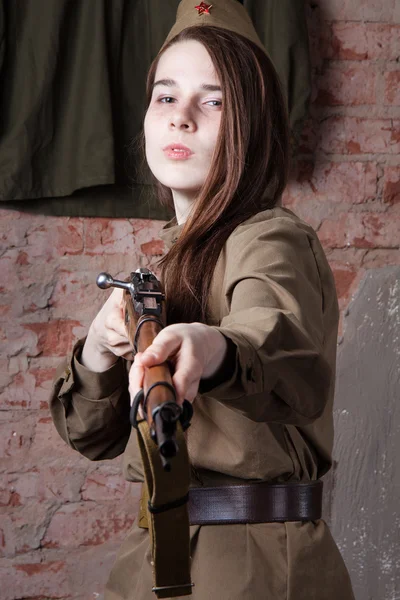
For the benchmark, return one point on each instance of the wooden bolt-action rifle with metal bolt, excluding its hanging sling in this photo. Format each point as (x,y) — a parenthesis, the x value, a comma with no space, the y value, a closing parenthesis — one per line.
(144,319)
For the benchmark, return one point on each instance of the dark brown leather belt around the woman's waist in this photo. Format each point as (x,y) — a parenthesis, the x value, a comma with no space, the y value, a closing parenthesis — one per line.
(251,503)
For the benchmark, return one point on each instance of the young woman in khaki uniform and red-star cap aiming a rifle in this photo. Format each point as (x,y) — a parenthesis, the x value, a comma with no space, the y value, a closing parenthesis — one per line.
(252,322)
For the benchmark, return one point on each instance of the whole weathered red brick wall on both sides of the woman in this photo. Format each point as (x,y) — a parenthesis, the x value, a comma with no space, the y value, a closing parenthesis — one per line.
(62,517)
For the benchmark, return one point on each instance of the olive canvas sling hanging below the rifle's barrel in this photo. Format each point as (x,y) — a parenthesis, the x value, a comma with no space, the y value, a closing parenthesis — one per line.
(168,520)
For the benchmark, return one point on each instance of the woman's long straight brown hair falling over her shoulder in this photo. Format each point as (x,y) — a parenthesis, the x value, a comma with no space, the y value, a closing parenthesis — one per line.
(249,168)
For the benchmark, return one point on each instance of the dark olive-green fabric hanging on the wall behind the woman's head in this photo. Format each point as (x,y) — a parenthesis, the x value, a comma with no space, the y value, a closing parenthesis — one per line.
(72,98)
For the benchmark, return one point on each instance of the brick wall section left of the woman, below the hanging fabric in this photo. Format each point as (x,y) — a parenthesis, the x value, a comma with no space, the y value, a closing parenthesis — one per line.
(61,516)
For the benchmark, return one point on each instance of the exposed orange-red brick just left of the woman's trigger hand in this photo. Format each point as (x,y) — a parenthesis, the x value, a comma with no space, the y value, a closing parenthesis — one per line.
(55,338)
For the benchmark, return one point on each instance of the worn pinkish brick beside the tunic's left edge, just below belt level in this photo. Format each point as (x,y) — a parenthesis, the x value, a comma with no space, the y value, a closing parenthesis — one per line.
(86,524)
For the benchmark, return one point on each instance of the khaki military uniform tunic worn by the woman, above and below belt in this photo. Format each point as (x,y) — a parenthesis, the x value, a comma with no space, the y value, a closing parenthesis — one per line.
(269,418)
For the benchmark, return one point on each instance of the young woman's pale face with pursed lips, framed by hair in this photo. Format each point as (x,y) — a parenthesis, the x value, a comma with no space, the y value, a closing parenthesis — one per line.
(184,113)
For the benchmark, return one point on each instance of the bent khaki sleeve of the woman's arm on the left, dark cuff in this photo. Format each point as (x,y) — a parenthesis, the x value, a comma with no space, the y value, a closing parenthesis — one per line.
(91,410)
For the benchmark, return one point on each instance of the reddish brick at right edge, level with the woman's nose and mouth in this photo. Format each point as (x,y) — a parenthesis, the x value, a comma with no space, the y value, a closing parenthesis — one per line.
(350,135)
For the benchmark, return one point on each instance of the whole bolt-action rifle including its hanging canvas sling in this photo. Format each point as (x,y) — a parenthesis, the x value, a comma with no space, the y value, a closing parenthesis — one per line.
(160,436)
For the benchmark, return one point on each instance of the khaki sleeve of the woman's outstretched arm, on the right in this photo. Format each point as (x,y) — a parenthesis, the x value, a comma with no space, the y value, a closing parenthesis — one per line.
(279,372)
